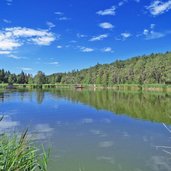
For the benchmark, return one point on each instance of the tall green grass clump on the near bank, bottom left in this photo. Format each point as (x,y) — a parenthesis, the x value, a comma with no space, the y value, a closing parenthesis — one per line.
(19,154)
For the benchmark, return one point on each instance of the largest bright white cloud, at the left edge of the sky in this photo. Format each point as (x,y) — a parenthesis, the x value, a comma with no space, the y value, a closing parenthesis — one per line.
(12,38)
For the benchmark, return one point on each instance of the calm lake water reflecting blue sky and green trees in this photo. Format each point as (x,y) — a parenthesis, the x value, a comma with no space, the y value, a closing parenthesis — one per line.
(89,130)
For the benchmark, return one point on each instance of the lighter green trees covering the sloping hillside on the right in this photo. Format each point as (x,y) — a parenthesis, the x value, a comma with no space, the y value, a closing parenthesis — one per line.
(151,69)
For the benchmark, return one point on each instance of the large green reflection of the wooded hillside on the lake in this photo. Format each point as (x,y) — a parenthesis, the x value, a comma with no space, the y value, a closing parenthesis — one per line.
(153,107)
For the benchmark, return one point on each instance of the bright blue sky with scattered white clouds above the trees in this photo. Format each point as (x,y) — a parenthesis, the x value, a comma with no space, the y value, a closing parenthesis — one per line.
(62,35)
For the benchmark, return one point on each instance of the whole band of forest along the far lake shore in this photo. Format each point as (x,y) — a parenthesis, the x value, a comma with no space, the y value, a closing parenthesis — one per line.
(146,69)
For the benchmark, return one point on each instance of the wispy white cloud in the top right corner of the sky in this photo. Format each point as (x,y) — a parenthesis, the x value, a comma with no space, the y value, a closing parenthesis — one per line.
(158,7)
